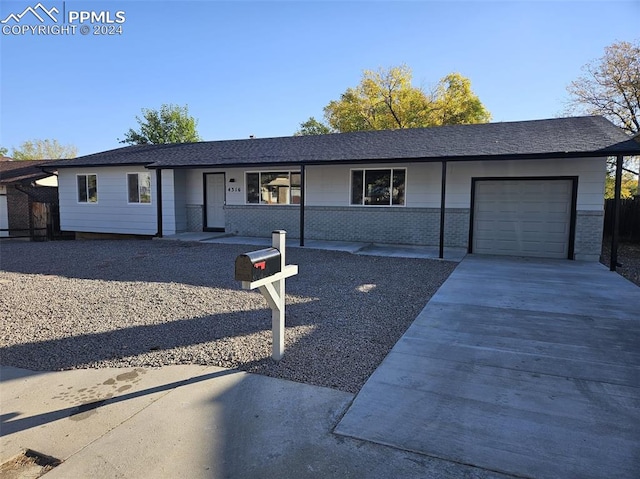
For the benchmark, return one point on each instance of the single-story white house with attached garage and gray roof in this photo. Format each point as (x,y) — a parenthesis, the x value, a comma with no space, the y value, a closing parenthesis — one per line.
(532,188)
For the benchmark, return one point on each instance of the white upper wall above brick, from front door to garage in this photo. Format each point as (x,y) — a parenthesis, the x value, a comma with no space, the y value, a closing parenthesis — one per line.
(331,185)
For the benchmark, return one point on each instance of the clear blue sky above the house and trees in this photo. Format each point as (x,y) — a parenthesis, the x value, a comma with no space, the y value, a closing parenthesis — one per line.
(262,67)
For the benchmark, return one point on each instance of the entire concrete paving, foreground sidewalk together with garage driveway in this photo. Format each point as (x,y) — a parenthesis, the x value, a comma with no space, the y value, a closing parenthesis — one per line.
(529,367)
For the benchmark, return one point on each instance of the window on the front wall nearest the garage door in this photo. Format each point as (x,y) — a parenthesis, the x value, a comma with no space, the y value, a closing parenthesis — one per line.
(378,187)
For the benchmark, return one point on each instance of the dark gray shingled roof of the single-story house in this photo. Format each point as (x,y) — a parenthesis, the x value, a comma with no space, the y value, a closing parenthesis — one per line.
(560,137)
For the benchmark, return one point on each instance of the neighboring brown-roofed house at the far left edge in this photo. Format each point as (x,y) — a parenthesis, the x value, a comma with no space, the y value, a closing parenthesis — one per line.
(23,184)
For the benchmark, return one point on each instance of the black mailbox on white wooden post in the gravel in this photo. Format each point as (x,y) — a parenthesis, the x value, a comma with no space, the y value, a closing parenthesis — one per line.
(251,266)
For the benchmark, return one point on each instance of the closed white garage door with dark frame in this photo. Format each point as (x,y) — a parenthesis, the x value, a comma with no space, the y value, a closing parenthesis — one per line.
(522,217)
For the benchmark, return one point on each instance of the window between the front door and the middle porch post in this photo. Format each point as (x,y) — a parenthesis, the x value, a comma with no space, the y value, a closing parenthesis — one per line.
(273,187)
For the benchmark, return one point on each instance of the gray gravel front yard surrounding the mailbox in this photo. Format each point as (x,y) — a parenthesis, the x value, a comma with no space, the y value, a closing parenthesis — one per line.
(92,304)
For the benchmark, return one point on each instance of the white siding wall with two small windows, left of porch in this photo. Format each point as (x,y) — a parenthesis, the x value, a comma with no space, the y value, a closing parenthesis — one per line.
(112,213)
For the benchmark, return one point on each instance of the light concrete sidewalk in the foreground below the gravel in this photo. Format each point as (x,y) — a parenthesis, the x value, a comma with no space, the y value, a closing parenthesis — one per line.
(193,422)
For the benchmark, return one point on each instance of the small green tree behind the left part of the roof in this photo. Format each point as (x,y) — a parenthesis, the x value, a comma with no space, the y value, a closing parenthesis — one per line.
(170,124)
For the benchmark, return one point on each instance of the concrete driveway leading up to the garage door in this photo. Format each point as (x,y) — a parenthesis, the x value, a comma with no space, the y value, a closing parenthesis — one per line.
(524,366)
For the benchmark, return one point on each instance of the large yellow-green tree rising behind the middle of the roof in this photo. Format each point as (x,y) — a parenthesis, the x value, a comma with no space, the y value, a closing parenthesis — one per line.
(386,99)
